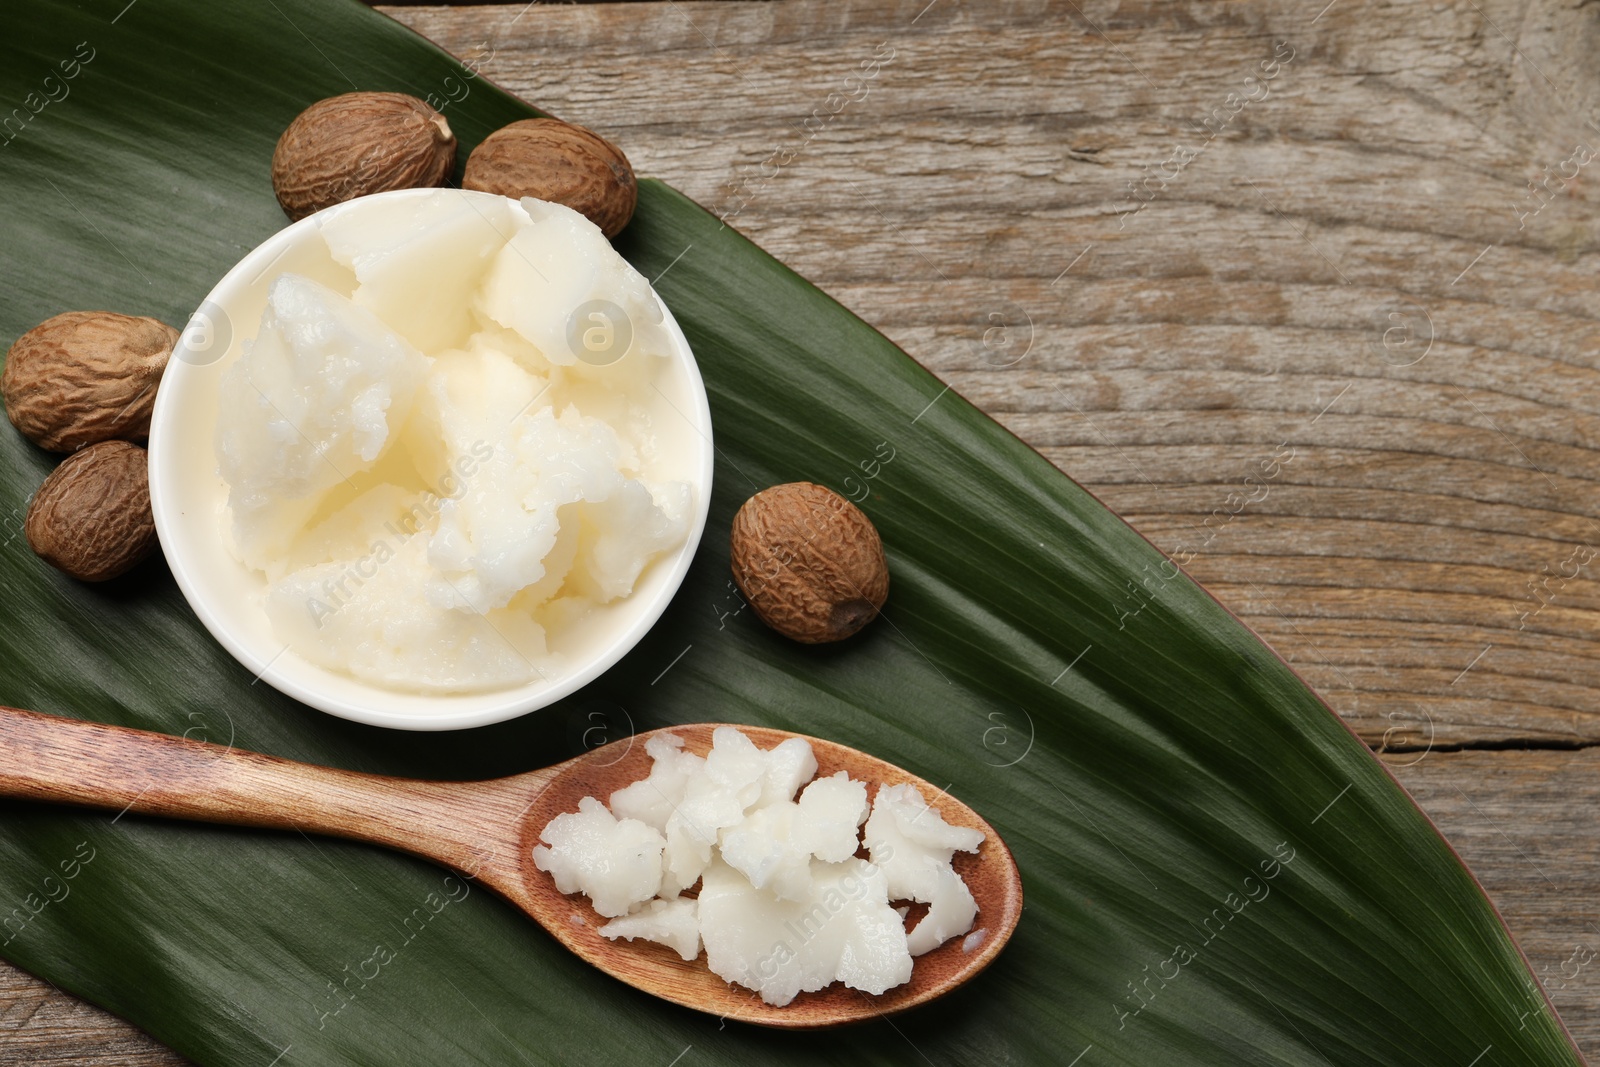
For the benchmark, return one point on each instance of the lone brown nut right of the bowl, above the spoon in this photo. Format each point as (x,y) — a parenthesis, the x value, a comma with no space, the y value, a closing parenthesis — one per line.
(810,562)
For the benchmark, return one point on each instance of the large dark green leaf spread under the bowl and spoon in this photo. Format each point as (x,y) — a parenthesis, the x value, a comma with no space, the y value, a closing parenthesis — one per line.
(1217,871)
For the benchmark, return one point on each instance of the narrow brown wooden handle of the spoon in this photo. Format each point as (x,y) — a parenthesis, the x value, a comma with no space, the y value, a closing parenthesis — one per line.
(66,761)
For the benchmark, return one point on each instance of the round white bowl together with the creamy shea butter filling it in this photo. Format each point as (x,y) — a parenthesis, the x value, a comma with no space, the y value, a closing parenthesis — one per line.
(431,458)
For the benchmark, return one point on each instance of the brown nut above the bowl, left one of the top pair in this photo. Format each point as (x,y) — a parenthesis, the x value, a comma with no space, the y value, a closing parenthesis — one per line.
(361,143)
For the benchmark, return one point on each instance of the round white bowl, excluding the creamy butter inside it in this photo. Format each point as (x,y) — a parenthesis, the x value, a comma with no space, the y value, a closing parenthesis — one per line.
(191,508)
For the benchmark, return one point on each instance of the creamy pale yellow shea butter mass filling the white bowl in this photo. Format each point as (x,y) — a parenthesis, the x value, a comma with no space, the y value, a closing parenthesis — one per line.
(449,455)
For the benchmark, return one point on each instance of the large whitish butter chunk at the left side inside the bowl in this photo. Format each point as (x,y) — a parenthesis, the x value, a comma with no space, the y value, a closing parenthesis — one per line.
(311,404)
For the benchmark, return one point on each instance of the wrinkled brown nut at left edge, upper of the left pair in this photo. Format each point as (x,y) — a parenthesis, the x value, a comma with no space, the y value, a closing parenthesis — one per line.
(86,377)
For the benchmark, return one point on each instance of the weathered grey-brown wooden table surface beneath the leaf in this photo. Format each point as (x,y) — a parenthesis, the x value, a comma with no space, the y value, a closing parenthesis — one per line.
(1162,242)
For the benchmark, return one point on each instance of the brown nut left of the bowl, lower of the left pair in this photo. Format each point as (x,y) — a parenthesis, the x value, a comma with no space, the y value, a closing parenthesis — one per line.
(92,519)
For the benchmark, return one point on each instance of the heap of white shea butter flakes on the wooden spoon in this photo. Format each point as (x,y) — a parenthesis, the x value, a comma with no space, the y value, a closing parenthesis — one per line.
(785,905)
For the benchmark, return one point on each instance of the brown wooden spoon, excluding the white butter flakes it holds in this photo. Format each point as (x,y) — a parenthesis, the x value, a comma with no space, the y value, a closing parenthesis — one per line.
(487,831)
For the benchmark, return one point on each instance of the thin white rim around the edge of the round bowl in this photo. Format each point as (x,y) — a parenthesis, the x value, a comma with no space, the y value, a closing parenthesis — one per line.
(167,506)
